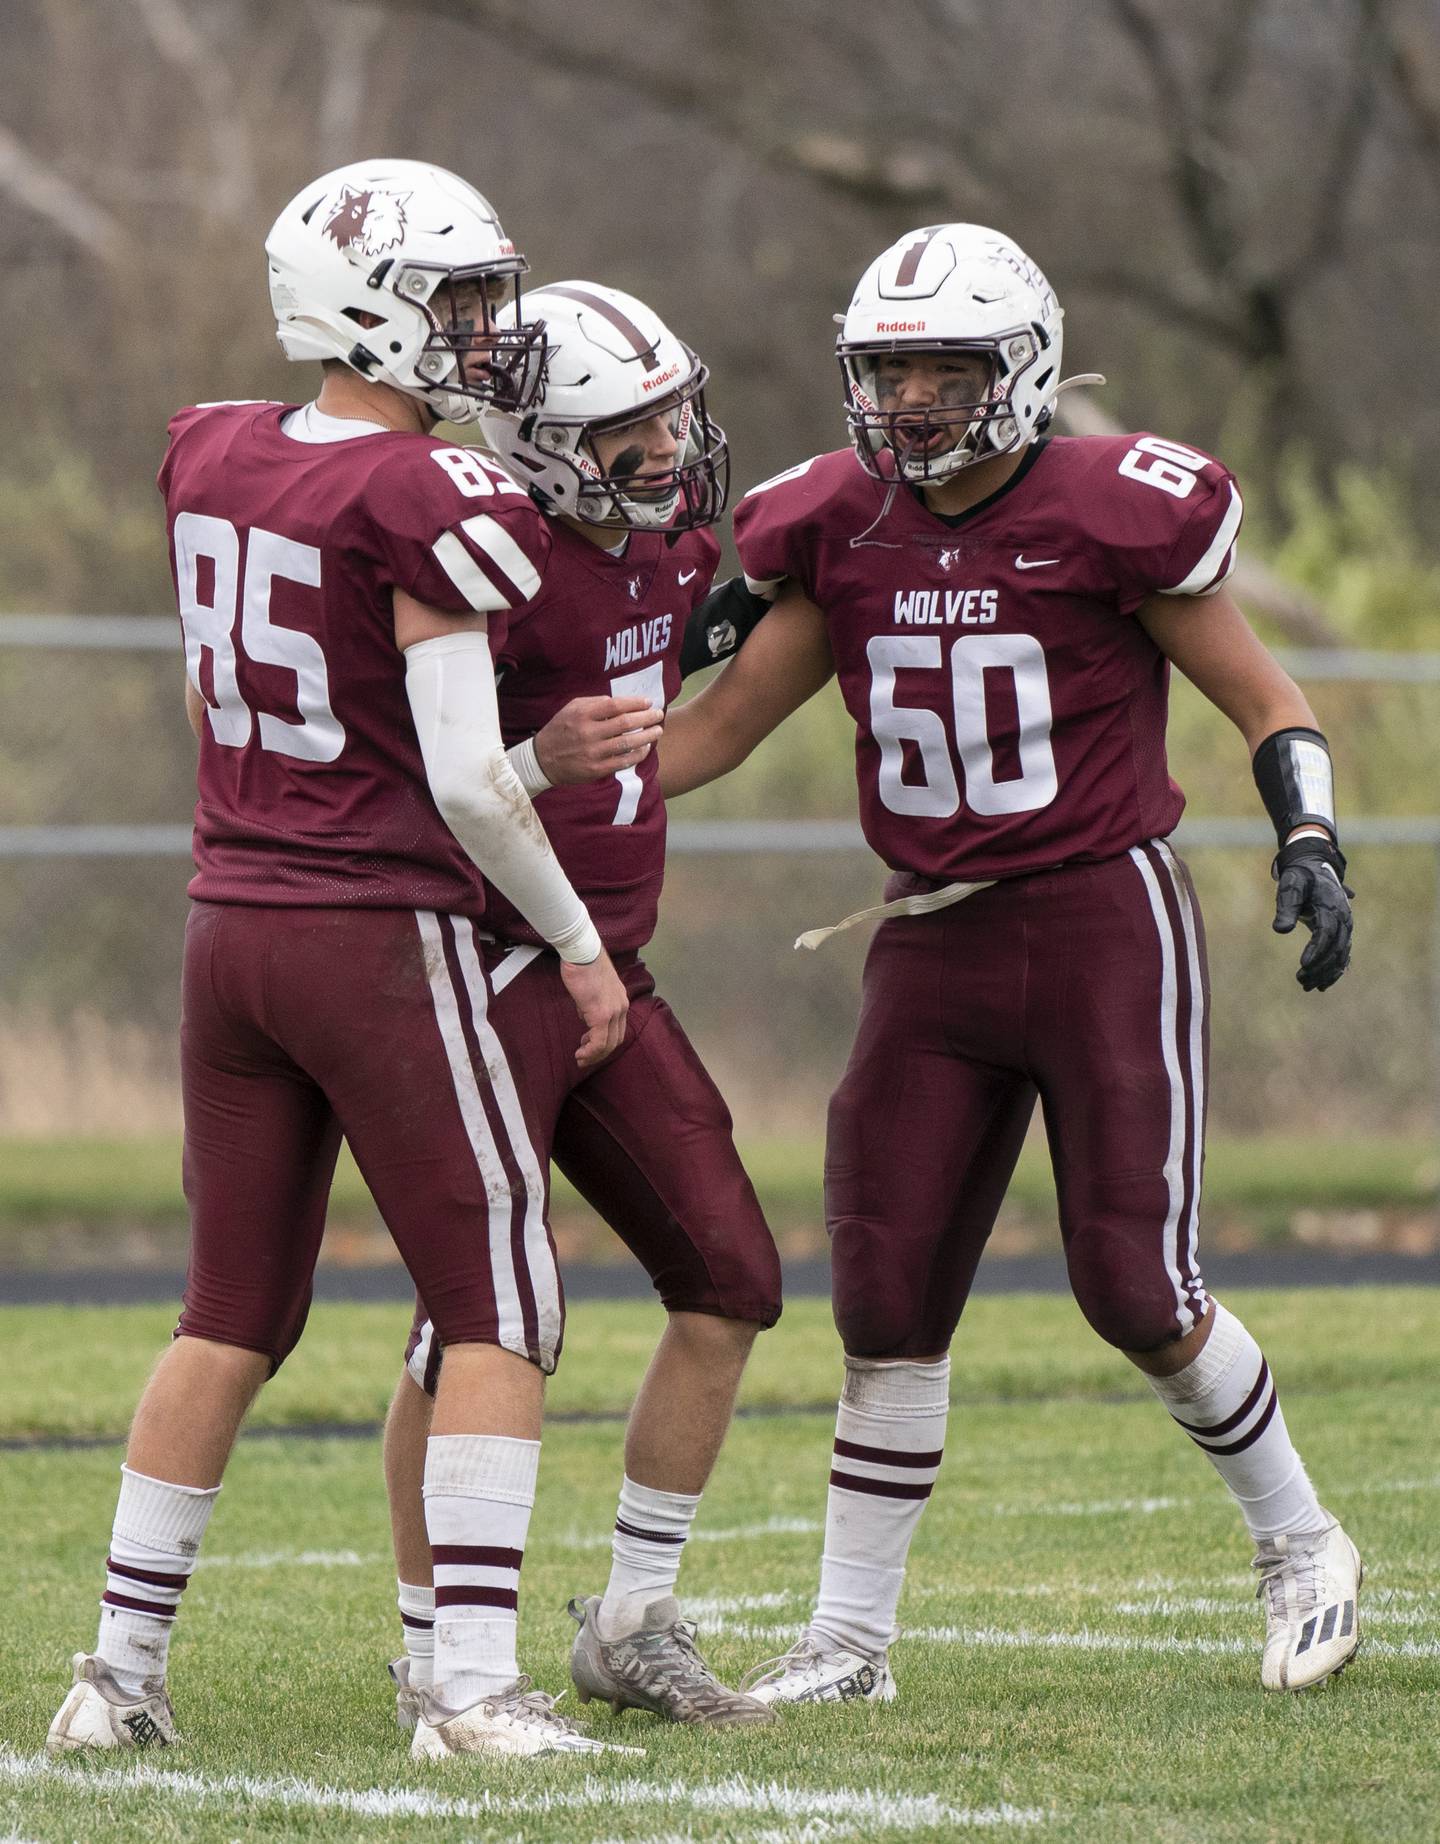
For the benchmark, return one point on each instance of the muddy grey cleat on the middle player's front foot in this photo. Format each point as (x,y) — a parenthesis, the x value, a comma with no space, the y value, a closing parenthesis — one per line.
(655,1668)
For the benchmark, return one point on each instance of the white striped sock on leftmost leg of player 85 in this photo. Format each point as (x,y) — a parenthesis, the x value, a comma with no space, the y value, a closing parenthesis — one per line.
(154,1548)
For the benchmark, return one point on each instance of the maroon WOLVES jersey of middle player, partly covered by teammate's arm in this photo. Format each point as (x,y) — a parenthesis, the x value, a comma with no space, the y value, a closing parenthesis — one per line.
(604,626)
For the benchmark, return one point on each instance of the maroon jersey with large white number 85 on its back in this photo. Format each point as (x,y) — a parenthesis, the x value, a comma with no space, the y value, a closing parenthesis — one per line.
(287,556)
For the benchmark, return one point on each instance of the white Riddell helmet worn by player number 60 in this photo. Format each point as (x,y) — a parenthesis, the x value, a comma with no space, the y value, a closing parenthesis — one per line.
(952,289)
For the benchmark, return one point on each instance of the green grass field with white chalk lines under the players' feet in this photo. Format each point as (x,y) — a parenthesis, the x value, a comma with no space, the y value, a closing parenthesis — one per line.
(1081,1659)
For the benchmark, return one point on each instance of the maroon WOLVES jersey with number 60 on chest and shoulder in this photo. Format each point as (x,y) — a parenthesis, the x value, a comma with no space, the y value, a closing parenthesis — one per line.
(1009,707)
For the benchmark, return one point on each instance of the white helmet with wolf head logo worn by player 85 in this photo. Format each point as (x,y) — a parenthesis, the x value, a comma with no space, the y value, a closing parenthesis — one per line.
(366,266)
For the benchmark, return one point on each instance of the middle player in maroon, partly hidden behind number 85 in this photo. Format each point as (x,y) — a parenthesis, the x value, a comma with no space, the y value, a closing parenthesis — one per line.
(631,473)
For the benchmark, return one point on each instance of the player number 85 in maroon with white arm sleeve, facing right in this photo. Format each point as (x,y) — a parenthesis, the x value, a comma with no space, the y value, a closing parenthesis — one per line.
(344,580)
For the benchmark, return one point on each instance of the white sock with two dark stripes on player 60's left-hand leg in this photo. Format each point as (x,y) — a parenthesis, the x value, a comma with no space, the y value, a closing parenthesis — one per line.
(890,1436)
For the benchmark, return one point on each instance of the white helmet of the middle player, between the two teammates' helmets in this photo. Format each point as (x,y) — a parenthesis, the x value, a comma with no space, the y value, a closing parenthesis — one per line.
(613,362)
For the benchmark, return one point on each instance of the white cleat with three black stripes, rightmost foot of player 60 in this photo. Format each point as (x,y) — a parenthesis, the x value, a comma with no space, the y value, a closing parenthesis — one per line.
(1312,1592)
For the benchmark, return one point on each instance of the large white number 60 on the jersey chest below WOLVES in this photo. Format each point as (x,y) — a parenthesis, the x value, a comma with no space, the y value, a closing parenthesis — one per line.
(895,726)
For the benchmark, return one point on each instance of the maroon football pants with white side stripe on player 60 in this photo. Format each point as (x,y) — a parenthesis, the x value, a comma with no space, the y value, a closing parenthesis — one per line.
(1085,987)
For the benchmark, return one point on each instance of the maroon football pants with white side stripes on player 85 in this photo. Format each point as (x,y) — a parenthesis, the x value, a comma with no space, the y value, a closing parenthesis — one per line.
(307,1024)
